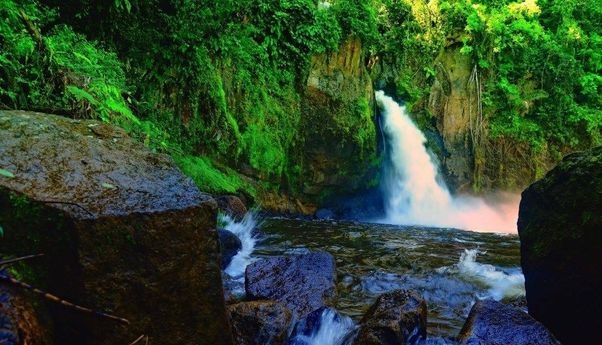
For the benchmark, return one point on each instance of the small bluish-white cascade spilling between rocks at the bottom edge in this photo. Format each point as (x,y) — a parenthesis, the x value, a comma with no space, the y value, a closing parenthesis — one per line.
(338,328)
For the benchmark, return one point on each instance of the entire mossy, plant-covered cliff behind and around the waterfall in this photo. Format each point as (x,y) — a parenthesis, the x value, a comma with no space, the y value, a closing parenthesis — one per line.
(275,98)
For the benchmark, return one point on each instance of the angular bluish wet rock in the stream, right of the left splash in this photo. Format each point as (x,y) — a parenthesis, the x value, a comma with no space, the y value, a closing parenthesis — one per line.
(302,282)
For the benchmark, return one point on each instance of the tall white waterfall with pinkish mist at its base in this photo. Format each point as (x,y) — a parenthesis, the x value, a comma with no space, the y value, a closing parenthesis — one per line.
(414,195)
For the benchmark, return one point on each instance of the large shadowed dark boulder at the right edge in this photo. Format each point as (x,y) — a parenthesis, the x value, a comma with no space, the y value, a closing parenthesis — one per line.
(559,224)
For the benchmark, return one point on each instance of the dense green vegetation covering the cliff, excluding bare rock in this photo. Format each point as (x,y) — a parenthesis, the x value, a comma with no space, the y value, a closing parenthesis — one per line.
(217,84)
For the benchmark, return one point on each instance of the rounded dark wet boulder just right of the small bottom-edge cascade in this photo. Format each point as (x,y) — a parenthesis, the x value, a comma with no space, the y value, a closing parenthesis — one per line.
(396,318)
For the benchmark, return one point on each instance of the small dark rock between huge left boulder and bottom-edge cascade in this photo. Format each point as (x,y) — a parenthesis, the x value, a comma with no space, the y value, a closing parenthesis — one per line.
(259,322)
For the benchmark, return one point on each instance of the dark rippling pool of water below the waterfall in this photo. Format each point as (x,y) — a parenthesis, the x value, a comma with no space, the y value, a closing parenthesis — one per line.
(450,268)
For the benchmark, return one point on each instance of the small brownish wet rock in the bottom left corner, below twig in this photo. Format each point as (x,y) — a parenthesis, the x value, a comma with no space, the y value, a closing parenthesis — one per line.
(19,323)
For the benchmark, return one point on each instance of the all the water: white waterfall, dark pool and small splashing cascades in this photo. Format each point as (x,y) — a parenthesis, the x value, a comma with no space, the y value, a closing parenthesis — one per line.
(416,245)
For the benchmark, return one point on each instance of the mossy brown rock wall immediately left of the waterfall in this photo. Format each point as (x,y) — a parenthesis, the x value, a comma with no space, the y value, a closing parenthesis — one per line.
(337,122)
